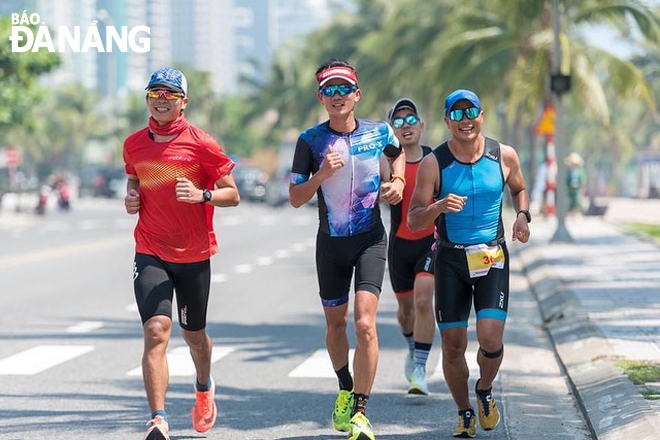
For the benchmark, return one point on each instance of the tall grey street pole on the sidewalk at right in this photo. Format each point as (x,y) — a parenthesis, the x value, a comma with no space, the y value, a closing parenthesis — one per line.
(561,233)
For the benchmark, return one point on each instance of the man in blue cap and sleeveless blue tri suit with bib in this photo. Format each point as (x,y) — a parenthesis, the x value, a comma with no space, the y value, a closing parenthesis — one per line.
(467,175)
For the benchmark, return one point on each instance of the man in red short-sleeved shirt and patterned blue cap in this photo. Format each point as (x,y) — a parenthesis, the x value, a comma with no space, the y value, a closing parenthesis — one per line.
(176,175)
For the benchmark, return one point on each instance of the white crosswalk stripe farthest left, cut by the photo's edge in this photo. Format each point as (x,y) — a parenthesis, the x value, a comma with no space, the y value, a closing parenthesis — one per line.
(40,358)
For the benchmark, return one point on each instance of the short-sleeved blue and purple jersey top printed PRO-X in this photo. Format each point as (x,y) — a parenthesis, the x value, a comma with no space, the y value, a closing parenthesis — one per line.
(348,201)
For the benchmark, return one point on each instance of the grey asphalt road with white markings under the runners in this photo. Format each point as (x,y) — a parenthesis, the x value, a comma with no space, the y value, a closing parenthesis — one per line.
(70,340)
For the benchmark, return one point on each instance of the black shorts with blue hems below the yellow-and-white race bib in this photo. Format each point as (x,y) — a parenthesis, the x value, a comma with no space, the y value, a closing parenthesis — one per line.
(455,290)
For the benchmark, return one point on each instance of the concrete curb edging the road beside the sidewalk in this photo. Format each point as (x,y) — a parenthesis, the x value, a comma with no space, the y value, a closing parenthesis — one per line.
(611,404)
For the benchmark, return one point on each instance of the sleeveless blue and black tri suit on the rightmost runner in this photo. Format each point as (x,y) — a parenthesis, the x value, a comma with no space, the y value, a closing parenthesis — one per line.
(480,222)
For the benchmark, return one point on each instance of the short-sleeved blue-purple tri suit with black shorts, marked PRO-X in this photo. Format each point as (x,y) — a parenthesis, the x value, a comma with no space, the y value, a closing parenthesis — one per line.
(351,233)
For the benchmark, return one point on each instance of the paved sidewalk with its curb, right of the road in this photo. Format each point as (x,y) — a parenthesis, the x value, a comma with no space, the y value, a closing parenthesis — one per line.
(600,300)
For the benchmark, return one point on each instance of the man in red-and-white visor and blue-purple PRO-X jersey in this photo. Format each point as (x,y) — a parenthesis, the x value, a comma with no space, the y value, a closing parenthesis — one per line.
(342,155)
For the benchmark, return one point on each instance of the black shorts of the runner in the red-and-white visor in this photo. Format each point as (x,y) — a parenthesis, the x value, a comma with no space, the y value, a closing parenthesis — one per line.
(337,257)
